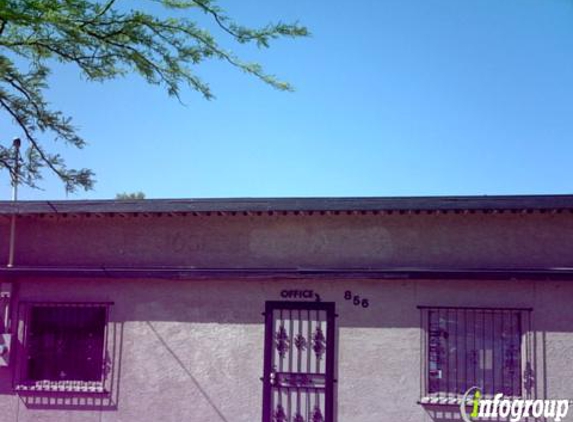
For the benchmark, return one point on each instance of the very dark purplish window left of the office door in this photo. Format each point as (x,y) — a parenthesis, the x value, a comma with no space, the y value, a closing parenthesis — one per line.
(64,347)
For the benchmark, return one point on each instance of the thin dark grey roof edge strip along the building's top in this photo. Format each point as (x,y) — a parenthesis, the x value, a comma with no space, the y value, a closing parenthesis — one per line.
(255,205)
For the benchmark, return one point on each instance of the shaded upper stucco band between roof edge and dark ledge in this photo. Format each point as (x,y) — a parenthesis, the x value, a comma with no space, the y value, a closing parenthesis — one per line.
(439,240)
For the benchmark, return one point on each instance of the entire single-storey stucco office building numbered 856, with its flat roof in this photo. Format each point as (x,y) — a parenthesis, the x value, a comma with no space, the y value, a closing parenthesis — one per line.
(298,310)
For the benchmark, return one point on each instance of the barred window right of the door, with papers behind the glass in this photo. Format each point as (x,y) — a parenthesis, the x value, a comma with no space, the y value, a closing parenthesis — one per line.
(466,347)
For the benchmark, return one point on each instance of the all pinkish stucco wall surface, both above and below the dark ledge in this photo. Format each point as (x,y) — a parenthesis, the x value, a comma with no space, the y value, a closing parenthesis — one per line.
(192,350)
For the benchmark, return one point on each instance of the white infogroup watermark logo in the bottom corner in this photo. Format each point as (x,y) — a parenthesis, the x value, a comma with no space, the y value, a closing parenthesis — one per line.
(514,409)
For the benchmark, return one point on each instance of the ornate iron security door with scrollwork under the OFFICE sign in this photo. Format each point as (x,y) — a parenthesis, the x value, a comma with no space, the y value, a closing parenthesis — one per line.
(299,362)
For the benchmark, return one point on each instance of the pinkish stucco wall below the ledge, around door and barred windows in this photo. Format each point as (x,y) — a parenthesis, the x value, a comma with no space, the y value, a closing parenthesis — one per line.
(194,350)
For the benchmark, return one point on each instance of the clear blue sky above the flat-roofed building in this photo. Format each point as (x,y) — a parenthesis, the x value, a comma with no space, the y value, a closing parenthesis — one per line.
(393,98)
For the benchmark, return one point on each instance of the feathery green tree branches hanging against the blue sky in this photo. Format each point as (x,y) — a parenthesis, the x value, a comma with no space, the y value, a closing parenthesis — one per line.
(105,42)
